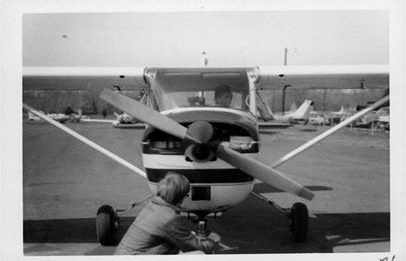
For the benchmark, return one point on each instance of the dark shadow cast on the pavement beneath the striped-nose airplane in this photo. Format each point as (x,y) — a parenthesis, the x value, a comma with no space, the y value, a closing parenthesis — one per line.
(247,228)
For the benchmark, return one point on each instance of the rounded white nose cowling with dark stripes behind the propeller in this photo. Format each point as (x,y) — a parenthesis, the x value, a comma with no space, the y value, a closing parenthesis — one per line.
(215,184)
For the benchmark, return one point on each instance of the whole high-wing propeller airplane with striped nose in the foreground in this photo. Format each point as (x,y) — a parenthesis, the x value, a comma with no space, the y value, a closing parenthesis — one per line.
(214,147)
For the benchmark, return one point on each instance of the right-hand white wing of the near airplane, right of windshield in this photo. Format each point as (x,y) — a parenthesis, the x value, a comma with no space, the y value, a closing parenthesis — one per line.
(343,76)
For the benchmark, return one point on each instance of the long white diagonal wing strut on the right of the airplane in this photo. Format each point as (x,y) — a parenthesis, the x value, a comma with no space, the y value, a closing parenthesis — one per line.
(330,131)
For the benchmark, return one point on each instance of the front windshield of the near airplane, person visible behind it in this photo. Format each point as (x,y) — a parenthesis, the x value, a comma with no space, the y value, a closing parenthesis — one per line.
(200,89)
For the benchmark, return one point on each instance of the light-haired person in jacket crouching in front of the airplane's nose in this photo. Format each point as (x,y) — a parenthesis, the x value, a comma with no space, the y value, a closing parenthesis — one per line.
(159,228)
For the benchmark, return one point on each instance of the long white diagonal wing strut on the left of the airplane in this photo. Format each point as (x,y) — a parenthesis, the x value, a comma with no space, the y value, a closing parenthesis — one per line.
(86,141)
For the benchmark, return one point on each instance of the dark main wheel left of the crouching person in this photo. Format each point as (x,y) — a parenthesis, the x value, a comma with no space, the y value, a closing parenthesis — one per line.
(106,225)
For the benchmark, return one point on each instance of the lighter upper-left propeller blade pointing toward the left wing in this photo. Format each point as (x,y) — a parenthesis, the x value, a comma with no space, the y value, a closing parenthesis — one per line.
(146,114)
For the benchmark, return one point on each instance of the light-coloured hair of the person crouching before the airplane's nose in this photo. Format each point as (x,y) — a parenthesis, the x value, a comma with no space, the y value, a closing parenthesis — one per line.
(173,188)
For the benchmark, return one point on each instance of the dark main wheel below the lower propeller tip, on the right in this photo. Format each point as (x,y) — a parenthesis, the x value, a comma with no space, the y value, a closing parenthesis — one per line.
(300,222)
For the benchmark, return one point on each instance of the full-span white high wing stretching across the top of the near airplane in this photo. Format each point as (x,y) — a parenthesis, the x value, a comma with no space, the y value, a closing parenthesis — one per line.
(206,78)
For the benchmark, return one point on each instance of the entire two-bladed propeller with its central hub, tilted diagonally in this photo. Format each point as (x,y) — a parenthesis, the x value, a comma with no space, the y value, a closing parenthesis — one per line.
(199,133)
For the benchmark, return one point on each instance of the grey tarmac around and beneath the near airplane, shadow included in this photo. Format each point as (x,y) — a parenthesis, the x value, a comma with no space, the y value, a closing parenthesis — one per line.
(65,182)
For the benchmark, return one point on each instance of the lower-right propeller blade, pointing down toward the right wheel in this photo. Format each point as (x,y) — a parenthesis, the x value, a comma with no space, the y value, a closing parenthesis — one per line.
(263,172)
